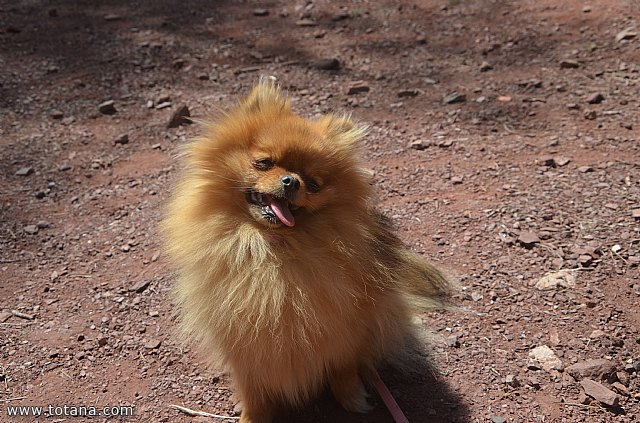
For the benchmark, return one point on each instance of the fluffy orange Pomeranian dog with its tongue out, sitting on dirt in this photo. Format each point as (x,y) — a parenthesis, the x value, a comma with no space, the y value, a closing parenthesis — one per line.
(285,270)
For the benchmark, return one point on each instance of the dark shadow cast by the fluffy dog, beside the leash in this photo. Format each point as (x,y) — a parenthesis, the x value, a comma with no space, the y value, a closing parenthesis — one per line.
(420,391)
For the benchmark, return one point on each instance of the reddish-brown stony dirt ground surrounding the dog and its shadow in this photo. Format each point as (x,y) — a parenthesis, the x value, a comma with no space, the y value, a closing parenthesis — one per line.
(504,142)
